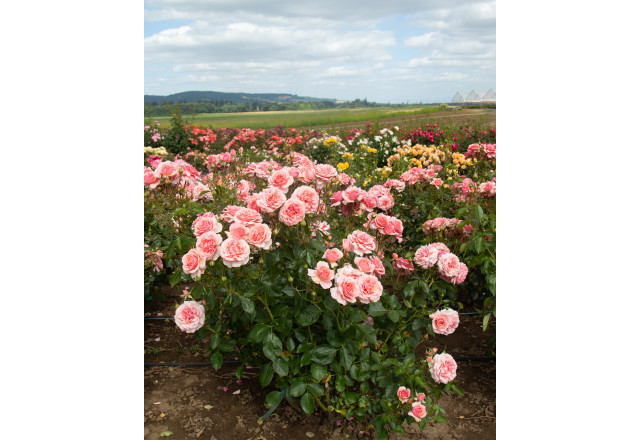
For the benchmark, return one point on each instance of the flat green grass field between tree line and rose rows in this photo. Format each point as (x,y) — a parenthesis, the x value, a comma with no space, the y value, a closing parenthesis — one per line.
(297,119)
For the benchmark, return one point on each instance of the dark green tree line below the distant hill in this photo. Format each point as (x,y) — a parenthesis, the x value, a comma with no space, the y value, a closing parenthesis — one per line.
(152,109)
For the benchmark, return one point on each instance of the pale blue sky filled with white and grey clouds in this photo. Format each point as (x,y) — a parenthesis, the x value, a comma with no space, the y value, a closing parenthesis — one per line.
(385,51)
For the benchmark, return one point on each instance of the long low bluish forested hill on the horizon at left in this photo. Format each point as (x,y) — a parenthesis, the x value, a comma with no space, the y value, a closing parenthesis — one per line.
(233,98)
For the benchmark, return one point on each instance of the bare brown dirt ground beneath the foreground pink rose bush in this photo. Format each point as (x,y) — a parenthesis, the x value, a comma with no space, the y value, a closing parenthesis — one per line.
(199,403)
